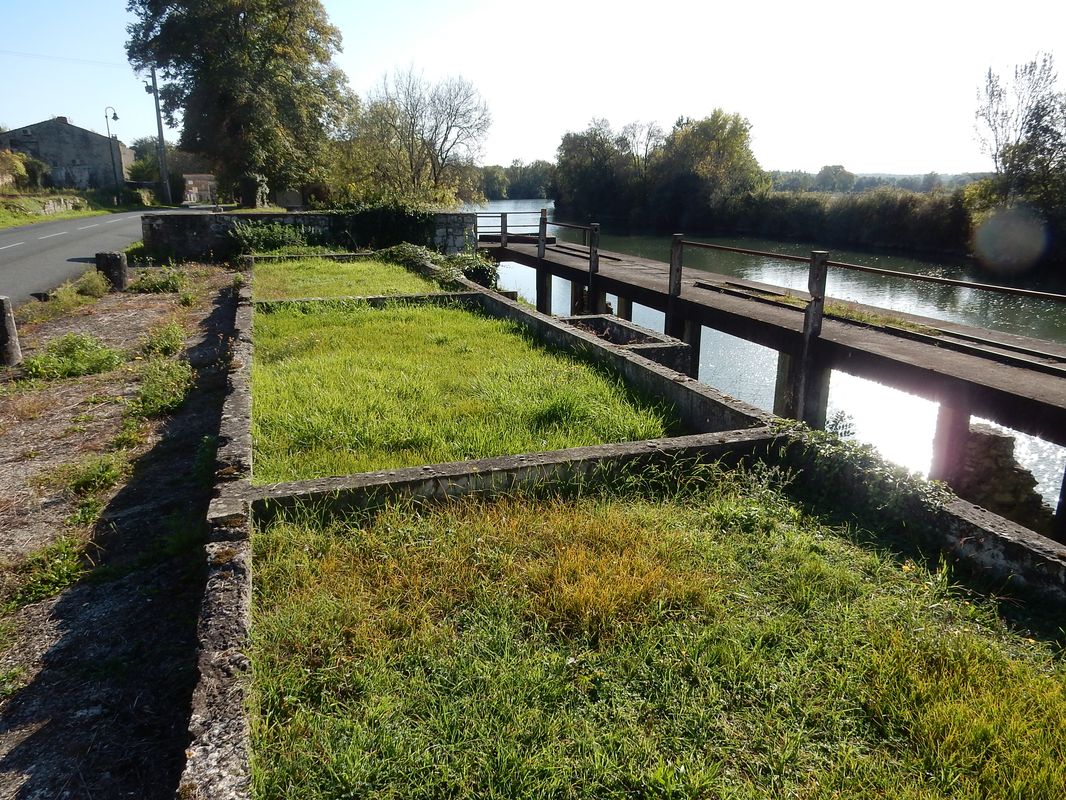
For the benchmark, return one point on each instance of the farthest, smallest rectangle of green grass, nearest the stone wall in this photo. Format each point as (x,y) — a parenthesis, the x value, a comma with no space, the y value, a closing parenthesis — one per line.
(321,278)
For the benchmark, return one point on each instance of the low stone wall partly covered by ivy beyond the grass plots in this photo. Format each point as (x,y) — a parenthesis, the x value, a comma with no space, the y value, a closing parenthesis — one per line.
(204,235)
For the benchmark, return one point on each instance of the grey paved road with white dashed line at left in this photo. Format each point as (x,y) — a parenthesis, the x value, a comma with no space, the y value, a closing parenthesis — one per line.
(37,259)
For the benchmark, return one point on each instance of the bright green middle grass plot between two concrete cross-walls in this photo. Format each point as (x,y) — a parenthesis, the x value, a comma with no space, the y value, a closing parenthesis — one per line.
(351,390)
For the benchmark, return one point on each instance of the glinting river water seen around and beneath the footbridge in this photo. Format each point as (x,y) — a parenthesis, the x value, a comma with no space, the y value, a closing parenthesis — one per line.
(899,425)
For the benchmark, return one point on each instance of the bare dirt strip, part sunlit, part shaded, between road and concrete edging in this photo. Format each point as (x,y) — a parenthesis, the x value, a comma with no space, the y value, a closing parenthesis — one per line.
(96,680)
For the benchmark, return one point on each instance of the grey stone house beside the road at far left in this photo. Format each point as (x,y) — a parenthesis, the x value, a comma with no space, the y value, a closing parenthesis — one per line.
(78,158)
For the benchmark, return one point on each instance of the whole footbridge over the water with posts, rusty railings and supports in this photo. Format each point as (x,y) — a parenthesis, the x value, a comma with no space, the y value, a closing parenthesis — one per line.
(1012,380)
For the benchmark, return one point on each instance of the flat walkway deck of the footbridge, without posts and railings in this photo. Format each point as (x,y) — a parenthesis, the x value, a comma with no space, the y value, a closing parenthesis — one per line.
(1016,381)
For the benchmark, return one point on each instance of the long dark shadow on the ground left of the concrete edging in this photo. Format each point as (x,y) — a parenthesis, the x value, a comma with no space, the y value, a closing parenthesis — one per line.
(108,714)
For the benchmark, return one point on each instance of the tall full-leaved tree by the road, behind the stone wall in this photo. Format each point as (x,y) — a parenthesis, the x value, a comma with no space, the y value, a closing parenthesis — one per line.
(251,81)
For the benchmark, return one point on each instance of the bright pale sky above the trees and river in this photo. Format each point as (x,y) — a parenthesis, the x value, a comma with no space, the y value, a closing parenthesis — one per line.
(886,88)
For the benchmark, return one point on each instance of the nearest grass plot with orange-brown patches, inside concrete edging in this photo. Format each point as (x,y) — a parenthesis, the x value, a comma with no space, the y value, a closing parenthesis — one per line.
(709,642)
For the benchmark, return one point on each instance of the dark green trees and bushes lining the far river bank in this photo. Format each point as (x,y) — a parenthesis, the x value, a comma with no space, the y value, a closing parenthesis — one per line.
(703,179)
